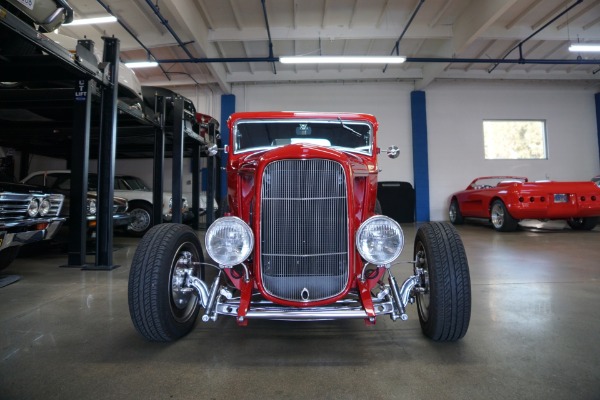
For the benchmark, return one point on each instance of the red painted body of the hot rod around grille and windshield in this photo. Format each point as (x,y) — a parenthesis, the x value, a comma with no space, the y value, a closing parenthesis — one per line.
(245,171)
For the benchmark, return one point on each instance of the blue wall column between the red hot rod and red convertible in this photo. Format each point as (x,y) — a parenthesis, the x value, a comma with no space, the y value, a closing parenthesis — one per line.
(418,113)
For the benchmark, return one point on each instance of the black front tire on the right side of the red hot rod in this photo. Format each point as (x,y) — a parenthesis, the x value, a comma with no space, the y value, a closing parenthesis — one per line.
(444,298)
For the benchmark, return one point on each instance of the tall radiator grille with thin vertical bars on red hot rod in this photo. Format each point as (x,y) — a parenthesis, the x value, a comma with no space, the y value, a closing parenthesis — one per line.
(304,229)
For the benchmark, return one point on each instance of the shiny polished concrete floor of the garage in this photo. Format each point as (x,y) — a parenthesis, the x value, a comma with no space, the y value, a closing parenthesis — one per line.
(534,334)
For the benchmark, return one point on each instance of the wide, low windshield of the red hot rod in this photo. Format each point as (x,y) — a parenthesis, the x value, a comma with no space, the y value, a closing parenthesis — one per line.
(342,135)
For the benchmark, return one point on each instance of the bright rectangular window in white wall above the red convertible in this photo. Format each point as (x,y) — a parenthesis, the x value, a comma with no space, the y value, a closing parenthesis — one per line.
(514,140)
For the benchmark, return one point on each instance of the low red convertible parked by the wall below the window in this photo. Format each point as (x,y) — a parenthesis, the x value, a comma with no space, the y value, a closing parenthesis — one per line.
(505,200)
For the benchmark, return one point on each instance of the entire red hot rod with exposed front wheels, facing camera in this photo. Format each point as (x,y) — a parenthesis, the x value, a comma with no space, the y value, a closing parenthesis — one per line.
(301,241)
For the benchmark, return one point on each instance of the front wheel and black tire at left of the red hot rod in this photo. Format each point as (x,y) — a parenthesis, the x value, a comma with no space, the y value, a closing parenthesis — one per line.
(161,306)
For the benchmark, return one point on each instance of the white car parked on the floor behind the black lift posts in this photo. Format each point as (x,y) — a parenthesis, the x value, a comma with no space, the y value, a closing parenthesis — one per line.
(138,195)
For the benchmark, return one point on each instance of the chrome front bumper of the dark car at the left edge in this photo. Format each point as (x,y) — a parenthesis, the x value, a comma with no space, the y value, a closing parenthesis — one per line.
(25,232)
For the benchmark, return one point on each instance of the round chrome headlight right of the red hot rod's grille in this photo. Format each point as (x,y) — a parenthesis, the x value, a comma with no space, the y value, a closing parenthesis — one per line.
(379,240)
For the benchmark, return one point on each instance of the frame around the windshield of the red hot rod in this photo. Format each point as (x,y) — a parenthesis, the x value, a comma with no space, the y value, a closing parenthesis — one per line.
(343,123)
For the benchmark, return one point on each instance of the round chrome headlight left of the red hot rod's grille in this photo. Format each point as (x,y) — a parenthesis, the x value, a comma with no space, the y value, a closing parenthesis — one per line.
(229,241)
